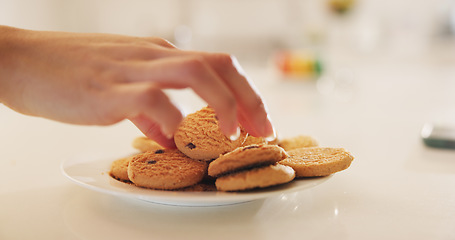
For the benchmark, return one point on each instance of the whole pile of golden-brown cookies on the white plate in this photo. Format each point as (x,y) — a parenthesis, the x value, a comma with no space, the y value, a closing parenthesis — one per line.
(207,160)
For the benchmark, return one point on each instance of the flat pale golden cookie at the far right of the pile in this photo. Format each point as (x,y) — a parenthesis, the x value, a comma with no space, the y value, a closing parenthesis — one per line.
(317,161)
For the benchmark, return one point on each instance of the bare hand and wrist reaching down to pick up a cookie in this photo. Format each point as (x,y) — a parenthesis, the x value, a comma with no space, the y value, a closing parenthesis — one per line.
(101,79)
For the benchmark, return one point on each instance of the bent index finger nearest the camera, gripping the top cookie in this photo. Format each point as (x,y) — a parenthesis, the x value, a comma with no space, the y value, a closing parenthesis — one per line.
(193,72)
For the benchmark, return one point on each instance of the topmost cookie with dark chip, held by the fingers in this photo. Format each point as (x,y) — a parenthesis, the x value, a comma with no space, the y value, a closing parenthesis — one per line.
(199,136)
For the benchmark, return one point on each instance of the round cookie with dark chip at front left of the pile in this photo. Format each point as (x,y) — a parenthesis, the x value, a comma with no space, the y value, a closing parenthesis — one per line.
(167,169)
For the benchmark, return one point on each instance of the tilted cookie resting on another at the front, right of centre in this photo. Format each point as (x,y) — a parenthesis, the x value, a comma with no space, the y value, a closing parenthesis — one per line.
(246,157)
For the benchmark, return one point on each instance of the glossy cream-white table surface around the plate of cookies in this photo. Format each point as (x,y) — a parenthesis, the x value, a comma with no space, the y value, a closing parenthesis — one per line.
(396,188)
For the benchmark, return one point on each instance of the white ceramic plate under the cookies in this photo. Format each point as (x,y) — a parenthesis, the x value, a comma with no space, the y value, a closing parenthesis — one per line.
(93,173)
